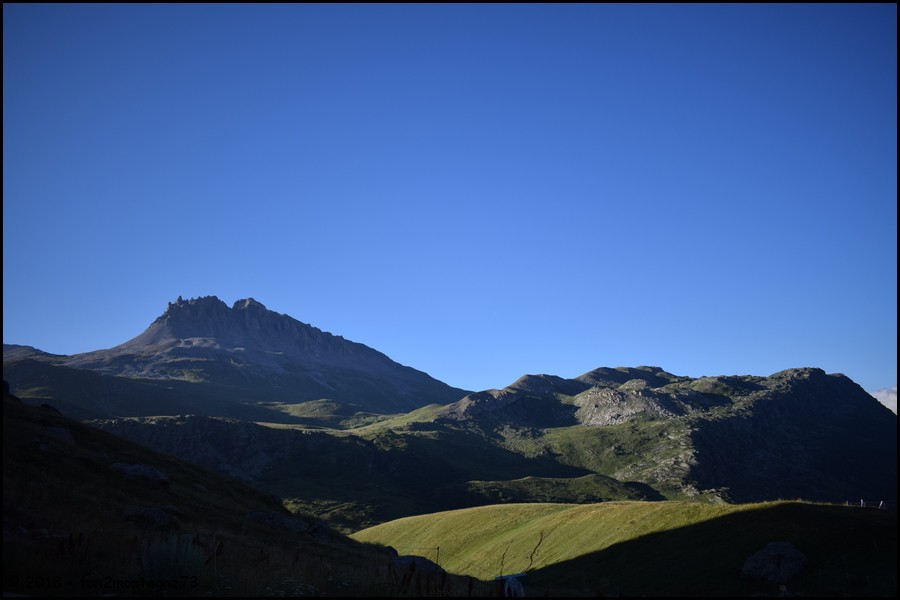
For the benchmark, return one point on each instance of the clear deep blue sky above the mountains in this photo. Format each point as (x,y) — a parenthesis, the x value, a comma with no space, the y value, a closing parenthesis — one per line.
(478,191)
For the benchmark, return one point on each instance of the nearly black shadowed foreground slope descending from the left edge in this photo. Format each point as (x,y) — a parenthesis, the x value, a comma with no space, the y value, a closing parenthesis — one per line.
(86,513)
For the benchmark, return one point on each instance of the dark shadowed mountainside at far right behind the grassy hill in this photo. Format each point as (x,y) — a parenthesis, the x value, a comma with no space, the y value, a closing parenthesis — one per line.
(805,434)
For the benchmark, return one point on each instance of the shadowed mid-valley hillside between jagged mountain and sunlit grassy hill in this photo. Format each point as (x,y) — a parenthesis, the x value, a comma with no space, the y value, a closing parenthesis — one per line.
(355,481)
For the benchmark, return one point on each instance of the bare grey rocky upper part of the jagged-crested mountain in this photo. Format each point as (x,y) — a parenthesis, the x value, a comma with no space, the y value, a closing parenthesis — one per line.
(255,352)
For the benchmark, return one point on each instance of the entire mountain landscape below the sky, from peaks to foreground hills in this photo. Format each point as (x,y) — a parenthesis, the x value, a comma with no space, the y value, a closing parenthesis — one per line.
(626,480)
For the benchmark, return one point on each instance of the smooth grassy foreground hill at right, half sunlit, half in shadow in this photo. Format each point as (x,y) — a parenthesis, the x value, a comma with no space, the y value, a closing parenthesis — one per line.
(654,548)
